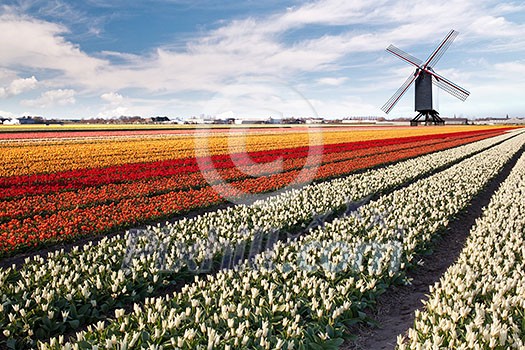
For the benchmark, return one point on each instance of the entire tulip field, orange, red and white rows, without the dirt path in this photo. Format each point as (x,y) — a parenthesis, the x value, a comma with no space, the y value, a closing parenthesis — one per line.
(294,269)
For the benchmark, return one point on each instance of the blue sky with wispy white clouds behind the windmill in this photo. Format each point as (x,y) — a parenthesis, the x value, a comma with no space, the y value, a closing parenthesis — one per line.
(326,58)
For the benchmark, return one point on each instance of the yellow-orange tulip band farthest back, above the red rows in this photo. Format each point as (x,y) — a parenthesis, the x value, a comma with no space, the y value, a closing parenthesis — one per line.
(27,158)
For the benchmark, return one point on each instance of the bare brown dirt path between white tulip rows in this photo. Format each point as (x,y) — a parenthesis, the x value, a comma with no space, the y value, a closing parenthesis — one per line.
(395,308)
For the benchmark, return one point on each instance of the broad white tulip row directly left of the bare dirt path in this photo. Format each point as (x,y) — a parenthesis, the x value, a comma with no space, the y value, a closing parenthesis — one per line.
(306,291)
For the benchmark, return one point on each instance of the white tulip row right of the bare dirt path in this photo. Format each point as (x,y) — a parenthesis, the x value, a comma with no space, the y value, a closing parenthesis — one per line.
(479,302)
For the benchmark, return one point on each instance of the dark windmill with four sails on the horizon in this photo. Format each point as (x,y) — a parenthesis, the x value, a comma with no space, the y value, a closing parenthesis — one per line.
(424,77)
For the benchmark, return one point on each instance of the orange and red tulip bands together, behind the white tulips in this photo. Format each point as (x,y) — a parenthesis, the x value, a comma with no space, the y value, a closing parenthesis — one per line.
(56,189)
